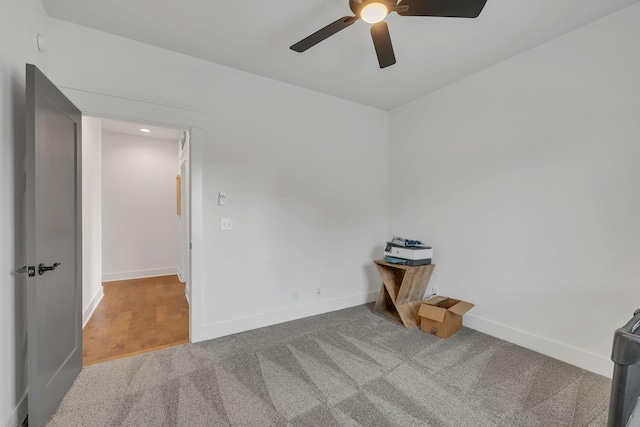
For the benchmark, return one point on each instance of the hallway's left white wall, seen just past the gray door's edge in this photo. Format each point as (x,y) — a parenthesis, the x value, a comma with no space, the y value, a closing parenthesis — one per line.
(91,216)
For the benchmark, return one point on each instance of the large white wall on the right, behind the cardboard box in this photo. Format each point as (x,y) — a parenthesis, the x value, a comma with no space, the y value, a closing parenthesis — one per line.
(524,178)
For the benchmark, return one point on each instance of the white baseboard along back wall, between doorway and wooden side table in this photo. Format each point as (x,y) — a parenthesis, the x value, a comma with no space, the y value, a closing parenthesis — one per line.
(216,330)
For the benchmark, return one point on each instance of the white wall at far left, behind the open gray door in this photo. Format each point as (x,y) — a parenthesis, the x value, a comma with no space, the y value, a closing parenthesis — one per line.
(20,21)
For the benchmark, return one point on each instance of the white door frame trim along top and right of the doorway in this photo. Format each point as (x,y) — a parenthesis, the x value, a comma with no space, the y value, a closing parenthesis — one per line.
(102,105)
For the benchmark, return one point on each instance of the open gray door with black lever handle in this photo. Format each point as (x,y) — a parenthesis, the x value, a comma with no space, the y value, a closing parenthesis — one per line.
(54,293)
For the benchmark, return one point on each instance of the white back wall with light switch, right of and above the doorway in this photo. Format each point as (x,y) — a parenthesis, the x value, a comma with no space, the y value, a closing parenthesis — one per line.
(304,173)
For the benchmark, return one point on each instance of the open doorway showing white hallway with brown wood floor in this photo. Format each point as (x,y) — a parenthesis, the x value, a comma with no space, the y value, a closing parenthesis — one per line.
(136,211)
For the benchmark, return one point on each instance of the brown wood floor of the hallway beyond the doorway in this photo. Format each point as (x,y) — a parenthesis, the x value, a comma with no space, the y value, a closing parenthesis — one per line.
(136,316)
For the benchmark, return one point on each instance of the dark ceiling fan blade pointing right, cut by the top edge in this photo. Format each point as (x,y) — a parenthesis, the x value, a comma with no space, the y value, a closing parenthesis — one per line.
(446,8)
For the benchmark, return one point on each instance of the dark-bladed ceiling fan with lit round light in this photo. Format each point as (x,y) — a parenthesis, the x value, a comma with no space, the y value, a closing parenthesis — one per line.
(374,12)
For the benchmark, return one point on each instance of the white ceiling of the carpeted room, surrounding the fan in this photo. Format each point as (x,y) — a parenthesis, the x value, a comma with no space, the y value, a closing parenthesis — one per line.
(255,35)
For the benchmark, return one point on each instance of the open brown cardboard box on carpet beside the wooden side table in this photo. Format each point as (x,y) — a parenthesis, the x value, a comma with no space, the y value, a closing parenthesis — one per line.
(442,316)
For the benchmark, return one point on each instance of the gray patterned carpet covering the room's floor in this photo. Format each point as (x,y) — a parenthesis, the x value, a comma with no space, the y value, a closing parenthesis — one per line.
(346,368)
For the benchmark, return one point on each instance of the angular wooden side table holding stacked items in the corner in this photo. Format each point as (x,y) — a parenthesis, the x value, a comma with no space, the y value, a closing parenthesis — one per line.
(402,291)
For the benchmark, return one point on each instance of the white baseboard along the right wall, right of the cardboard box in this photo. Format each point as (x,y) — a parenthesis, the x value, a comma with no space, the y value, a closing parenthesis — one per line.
(574,356)
